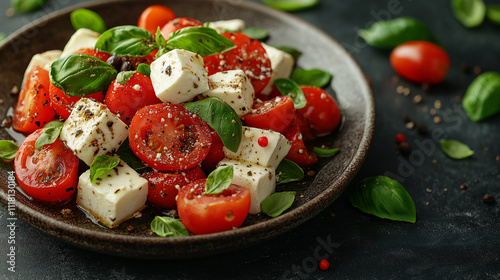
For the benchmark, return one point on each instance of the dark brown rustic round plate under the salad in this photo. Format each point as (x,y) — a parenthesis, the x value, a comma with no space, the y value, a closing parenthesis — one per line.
(132,238)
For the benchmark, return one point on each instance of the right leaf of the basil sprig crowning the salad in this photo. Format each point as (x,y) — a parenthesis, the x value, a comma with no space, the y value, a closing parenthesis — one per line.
(202,40)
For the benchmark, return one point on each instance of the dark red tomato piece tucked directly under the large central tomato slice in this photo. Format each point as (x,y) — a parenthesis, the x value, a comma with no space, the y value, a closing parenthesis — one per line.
(163,187)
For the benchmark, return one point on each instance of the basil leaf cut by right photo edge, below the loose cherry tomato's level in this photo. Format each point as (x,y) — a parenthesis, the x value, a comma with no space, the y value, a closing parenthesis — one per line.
(482,98)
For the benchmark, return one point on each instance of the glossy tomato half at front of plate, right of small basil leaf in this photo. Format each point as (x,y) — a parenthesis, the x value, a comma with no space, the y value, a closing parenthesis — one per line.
(205,214)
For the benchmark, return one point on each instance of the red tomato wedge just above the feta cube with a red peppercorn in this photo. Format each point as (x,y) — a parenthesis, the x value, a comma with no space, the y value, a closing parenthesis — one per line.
(275,114)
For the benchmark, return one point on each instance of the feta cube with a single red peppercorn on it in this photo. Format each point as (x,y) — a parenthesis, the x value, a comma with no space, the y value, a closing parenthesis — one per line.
(263,147)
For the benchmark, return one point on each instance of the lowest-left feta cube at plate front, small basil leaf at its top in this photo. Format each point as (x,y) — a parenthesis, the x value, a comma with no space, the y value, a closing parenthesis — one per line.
(116,195)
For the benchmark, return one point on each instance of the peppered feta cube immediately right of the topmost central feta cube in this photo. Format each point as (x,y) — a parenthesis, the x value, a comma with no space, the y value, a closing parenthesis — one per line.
(234,88)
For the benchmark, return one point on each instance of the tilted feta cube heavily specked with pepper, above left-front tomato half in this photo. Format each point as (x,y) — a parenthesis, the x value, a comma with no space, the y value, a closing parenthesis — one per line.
(92,130)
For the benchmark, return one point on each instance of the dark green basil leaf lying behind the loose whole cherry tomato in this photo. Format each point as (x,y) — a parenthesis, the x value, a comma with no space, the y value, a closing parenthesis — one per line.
(391,33)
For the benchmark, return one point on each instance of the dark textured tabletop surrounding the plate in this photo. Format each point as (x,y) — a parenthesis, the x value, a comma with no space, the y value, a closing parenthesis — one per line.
(456,235)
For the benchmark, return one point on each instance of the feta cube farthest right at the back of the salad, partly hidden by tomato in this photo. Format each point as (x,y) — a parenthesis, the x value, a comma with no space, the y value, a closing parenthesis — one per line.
(281,64)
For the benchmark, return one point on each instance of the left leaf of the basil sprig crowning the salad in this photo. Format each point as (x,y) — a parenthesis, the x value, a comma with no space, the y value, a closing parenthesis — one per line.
(126,40)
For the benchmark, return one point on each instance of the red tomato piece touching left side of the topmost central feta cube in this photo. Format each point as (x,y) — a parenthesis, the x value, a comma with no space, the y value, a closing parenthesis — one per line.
(125,100)
